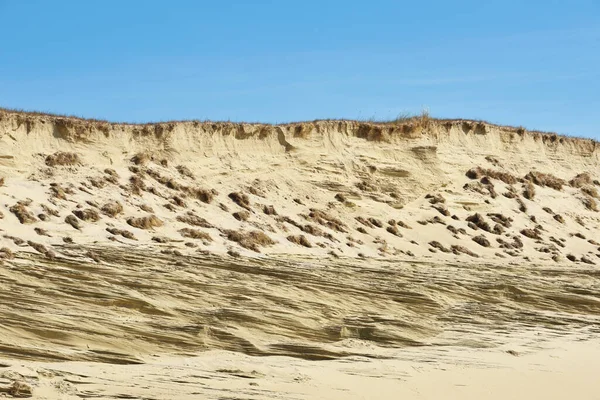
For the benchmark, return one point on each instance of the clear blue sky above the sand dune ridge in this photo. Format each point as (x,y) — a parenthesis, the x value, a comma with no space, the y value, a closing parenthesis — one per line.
(531,63)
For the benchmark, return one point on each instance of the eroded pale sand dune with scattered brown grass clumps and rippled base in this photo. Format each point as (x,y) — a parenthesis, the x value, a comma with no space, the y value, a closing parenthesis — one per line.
(311,260)
